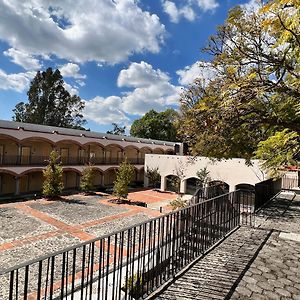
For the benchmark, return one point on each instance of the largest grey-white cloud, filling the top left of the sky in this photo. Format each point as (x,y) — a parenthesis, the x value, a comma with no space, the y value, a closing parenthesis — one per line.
(102,31)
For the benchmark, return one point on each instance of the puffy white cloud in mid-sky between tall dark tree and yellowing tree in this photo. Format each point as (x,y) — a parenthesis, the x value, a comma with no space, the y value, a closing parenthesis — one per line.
(151,90)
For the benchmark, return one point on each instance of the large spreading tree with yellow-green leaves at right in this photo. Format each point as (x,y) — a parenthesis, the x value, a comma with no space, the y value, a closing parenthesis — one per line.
(250,106)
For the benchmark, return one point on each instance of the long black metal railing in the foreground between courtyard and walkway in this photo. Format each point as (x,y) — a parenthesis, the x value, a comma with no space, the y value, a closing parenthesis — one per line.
(131,263)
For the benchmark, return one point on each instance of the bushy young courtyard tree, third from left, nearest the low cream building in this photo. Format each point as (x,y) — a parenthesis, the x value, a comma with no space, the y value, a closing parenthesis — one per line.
(125,175)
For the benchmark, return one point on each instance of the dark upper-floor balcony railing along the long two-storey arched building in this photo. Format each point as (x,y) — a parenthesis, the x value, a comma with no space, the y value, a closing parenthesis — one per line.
(35,160)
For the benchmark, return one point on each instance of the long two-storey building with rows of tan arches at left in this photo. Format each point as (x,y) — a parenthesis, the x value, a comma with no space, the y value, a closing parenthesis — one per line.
(25,149)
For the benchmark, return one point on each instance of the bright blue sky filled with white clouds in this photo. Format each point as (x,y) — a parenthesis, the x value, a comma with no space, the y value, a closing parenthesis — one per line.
(122,57)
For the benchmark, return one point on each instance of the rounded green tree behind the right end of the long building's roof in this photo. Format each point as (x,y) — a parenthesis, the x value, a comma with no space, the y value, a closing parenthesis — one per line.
(155,125)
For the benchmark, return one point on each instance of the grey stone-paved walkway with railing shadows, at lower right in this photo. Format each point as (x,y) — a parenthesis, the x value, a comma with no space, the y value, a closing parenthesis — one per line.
(262,262)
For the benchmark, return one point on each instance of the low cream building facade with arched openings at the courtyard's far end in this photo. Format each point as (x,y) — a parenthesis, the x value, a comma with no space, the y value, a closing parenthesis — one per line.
(233,173)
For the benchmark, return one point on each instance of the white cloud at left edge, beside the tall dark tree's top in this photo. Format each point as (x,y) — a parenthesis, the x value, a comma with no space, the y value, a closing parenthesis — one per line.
(17,81)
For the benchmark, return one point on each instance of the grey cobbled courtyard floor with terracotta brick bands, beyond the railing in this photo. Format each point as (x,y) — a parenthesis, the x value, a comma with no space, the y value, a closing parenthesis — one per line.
(32,229)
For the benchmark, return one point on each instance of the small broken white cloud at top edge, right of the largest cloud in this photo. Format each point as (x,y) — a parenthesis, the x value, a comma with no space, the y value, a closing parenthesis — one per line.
(188,9)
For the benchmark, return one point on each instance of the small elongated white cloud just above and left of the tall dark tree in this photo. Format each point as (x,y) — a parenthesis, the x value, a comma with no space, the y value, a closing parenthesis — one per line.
(25,60)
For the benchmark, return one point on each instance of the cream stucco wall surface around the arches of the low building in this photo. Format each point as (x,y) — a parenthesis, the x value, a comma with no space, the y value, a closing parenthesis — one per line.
(232,171)
